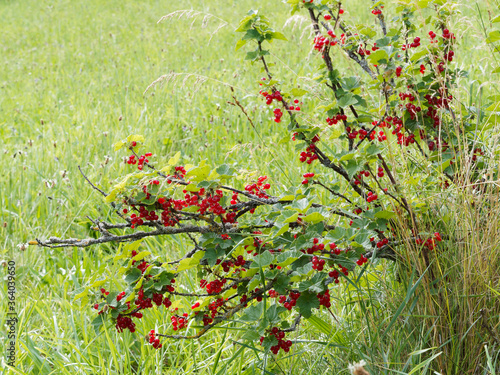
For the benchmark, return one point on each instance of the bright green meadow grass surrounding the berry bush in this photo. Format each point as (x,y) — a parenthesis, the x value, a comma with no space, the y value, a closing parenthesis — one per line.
(72,84)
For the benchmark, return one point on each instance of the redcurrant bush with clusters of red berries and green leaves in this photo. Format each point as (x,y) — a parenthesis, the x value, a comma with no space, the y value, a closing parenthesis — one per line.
(267,255)
